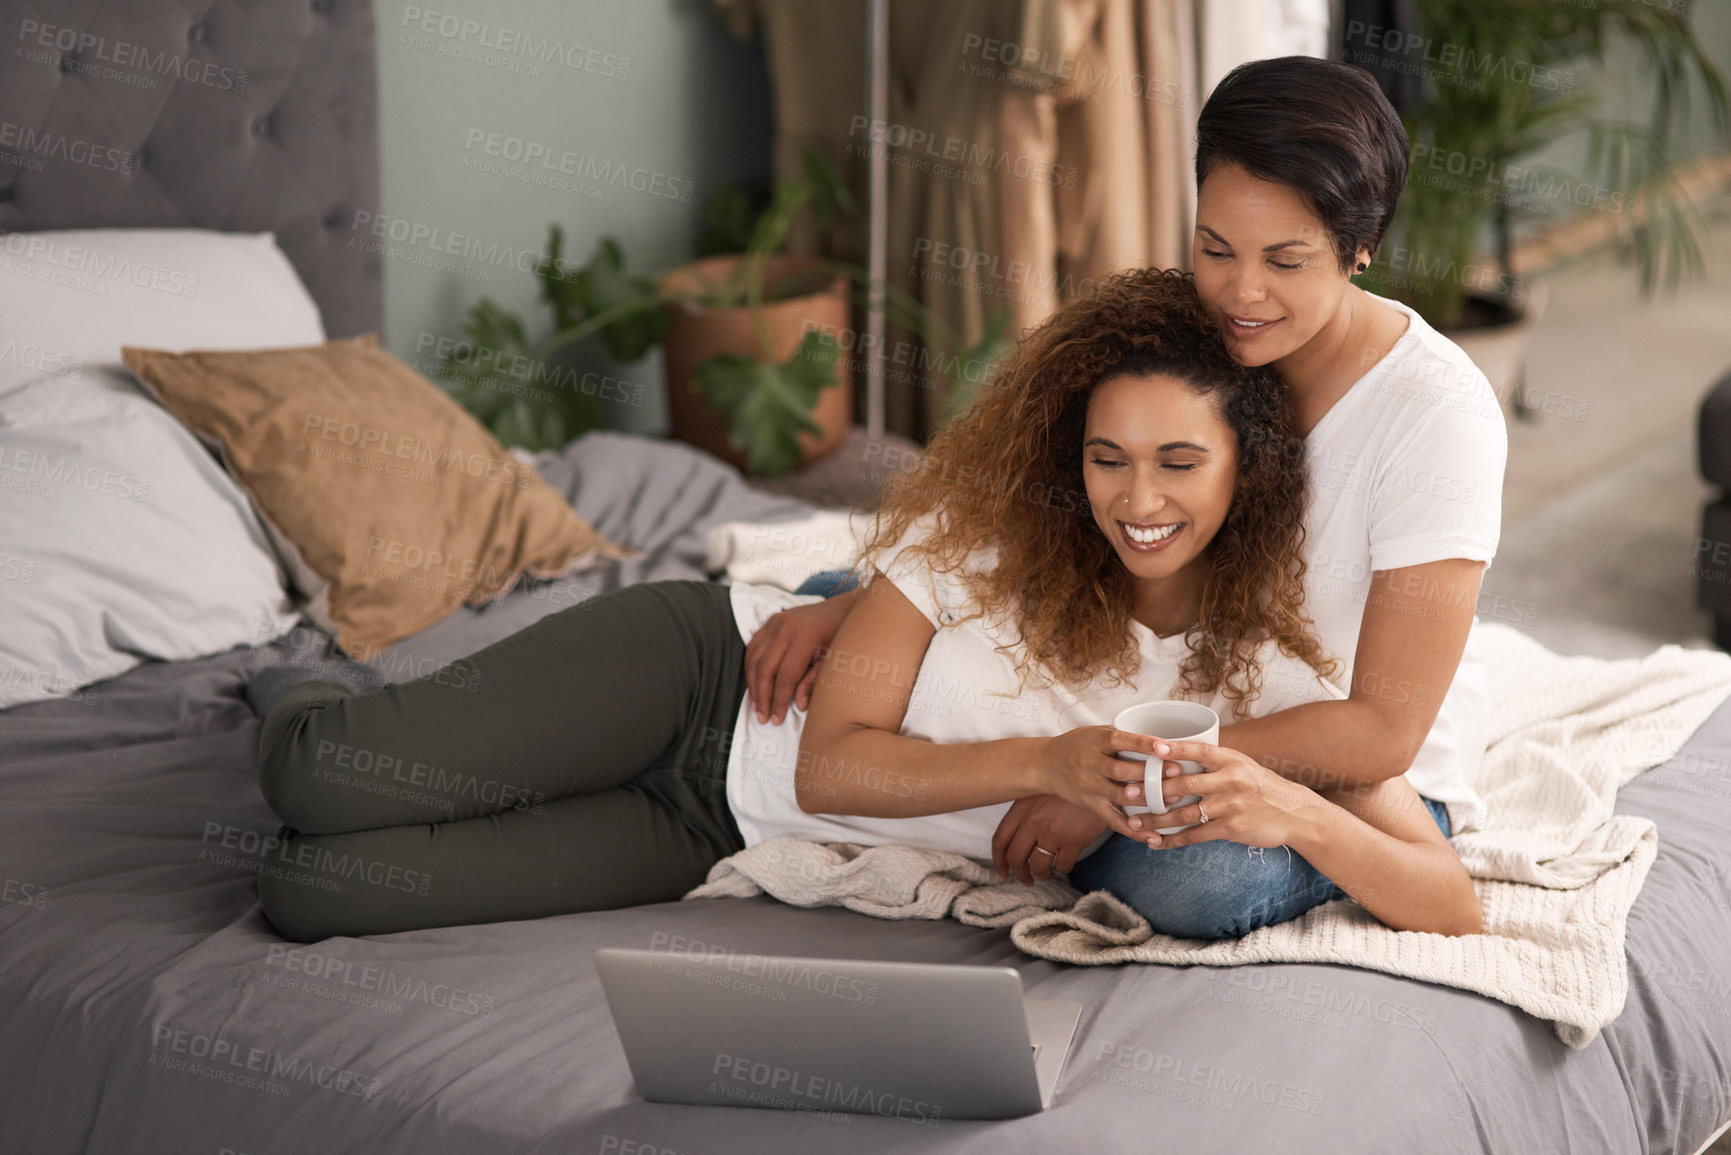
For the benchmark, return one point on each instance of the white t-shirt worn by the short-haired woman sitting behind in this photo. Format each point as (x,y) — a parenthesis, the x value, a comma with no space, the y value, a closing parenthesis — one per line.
(1406,470)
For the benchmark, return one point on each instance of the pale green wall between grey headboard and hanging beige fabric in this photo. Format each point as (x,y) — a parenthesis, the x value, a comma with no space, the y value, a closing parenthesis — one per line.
(498,117)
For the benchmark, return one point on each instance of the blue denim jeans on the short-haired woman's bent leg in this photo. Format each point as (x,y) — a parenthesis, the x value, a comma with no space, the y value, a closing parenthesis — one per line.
(1213,889)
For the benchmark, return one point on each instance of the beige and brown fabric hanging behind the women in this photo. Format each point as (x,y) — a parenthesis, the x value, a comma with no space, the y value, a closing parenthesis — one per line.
(1034,148)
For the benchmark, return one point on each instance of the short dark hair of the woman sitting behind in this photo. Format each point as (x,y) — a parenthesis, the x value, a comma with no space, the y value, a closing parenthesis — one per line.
(1320,127)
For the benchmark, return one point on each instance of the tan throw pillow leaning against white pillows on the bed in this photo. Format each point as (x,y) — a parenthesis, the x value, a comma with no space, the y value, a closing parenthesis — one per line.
(390,503)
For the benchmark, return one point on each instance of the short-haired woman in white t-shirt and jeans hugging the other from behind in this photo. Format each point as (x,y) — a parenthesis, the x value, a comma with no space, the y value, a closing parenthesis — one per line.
(1299,169)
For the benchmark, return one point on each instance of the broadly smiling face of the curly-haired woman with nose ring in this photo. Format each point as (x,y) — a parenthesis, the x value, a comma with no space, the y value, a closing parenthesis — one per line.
(1161,467)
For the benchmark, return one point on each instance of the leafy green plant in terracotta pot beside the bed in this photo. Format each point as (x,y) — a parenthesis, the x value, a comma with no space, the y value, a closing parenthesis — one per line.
(750,337)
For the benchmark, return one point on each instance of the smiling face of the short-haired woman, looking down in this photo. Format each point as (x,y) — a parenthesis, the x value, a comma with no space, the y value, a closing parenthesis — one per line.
(1266,268)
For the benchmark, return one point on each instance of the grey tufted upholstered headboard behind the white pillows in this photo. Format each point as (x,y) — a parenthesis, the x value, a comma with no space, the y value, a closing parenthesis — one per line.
(233,115)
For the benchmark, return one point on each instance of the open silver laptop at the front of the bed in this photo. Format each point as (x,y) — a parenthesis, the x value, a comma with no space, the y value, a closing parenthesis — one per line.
(915,1042)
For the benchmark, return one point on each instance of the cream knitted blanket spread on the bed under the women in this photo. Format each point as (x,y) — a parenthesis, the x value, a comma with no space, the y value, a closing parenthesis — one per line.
(1554,868)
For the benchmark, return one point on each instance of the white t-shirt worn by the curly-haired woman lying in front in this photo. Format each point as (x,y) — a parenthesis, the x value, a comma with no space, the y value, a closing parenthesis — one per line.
(965,692)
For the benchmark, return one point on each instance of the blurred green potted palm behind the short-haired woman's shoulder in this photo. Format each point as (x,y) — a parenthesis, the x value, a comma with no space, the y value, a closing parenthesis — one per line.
(1500,93)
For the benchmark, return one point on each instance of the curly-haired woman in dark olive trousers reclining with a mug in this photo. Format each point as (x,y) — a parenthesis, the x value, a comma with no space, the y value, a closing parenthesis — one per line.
(1116,520)
